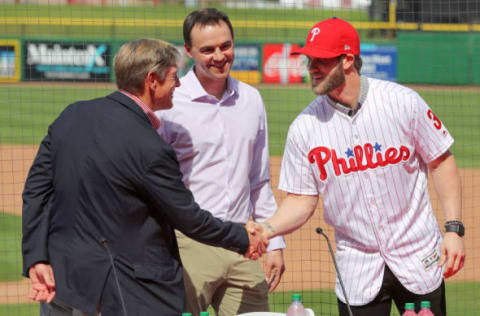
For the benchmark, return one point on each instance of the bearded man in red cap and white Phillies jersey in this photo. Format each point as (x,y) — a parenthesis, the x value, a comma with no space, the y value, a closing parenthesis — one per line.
(366,146)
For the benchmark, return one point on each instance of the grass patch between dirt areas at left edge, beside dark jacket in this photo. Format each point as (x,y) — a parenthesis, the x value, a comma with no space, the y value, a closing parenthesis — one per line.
(10,251)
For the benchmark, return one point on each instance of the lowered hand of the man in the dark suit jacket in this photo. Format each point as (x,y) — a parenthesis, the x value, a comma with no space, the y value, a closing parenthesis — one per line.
(43,282)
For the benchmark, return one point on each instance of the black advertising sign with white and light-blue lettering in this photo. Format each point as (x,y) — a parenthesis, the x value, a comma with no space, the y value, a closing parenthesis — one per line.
(67,61)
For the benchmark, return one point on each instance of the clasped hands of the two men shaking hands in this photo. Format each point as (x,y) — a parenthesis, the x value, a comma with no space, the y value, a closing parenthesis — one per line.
(258,235)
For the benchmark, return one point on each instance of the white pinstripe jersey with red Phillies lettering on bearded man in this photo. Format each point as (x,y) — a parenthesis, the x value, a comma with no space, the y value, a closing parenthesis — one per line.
(370,169)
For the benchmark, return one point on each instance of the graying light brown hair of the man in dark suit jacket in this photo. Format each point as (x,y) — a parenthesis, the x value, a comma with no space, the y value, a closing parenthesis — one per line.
(135,59)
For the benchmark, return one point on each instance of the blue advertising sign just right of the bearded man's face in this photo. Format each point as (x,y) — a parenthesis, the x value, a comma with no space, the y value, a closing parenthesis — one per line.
(379,61)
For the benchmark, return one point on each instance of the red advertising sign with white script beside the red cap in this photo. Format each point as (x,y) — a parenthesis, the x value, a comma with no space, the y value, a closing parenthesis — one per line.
(280,67)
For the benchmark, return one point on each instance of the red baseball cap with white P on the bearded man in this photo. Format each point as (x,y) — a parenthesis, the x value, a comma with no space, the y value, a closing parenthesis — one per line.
(330,38)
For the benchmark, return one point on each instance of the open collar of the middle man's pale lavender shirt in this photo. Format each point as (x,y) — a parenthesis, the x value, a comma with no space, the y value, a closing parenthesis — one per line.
(196,92)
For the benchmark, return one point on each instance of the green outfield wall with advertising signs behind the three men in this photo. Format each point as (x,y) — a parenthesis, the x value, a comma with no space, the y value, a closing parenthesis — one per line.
(413,58)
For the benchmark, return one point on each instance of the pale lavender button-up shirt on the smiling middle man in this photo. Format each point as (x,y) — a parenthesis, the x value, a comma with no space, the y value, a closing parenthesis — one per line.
(222,148)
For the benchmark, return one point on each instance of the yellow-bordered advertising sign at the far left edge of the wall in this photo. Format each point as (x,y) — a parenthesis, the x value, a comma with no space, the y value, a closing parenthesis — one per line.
(9,61)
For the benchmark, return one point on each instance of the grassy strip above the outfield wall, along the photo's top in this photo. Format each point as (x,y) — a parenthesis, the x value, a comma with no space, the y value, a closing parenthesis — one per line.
(172,32)
